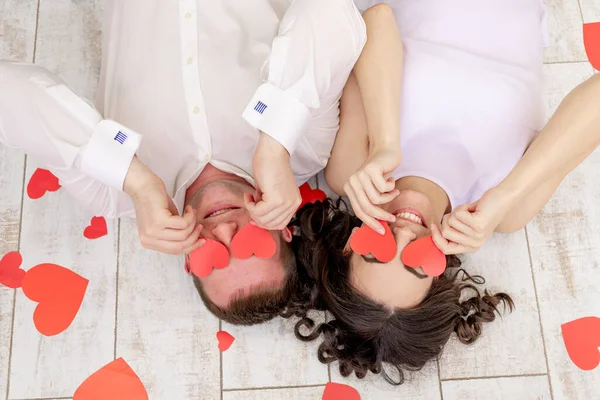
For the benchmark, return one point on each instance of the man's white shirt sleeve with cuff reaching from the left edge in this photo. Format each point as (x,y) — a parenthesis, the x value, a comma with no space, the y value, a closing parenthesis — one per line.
(40,115)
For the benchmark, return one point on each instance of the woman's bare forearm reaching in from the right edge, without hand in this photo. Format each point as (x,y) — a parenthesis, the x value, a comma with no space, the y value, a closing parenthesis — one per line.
(570,136)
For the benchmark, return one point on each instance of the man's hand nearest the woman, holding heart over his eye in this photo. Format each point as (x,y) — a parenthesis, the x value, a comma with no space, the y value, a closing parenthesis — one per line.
(275,183)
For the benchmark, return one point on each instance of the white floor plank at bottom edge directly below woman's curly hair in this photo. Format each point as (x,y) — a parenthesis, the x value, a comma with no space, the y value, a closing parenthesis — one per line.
(421,385)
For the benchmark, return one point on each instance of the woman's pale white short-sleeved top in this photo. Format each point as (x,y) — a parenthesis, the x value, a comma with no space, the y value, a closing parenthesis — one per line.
(471,89)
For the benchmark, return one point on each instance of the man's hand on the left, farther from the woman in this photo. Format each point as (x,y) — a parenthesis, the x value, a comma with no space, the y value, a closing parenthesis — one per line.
(160,226)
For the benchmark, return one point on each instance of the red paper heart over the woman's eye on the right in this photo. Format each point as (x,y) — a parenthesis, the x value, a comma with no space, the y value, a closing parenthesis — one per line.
(425,254)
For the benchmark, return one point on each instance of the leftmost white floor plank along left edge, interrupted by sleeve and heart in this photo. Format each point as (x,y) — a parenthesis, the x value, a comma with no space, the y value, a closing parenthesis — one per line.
(17,36)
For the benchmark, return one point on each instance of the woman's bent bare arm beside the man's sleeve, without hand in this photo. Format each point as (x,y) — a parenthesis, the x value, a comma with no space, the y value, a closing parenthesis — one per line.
(369,108)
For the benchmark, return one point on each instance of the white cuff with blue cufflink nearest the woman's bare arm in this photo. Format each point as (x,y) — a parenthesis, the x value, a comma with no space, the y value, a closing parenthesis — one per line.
(279,115)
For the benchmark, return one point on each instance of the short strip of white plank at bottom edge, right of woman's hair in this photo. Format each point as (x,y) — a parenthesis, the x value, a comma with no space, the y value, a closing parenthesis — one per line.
(519,388)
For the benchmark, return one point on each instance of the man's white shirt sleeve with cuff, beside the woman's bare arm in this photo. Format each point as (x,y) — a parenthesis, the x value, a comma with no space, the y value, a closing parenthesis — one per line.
(317,40)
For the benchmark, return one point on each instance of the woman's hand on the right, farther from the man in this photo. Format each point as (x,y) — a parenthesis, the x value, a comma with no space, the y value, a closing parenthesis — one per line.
(469,226)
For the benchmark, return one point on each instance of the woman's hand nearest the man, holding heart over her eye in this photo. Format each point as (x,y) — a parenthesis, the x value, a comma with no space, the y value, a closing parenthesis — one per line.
(372,185)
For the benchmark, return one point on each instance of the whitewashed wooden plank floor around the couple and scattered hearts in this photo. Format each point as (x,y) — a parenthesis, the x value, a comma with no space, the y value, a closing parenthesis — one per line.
(141,306)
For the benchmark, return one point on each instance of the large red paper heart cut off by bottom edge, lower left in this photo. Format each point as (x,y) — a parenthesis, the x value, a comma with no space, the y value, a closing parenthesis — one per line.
(114,381)
